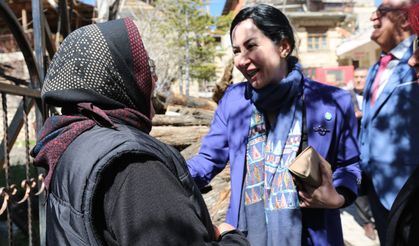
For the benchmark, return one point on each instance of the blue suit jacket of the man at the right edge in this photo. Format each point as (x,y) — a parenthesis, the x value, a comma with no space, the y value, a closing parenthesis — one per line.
(389,136)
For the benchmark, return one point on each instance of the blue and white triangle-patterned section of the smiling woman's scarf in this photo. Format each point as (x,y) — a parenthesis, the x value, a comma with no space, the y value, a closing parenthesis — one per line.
(268,178)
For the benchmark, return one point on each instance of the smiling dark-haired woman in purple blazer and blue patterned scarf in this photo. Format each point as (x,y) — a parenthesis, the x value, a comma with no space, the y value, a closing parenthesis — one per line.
(261,125)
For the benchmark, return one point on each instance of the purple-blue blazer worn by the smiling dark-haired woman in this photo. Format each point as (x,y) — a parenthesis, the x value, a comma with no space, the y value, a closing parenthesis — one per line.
(326,107)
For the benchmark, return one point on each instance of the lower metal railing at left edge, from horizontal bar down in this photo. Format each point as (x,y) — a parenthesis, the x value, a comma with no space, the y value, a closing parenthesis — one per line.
(29,188)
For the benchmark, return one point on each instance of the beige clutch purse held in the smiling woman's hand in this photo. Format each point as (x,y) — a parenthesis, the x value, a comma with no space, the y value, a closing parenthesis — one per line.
(306,167)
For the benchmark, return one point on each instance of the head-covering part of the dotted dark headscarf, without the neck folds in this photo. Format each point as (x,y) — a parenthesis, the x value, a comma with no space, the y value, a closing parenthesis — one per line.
(105,64)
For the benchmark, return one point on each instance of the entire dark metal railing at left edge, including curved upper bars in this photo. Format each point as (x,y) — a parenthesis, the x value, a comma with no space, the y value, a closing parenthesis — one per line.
(14,196)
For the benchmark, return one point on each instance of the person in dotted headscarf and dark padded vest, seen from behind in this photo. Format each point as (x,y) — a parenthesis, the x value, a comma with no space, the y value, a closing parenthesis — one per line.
(108,181)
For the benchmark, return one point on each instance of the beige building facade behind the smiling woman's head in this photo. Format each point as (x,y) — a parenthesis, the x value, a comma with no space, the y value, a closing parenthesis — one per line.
(321,27)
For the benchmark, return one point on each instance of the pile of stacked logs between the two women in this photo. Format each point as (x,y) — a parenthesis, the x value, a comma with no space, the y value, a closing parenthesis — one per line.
(183,125)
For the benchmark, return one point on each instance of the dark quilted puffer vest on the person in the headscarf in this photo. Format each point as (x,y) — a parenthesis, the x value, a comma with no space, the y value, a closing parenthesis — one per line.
(73,203)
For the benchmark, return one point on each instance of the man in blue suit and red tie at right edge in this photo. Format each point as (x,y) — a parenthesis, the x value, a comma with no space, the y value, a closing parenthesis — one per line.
(389,136)
